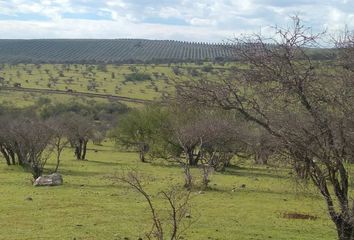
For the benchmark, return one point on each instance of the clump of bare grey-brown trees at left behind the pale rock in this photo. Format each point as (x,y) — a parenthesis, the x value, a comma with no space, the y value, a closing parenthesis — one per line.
(29,141)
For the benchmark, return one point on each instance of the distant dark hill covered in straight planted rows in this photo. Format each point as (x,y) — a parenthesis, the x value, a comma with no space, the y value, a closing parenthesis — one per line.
(109,51)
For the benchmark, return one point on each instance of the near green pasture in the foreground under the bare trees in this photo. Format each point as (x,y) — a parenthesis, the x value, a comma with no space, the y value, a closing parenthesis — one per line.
(92,205)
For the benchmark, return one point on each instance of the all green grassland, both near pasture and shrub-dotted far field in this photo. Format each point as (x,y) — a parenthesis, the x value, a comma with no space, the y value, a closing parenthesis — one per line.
(246,201)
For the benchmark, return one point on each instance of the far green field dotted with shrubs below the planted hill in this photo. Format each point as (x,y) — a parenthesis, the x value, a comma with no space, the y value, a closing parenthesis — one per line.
(108,80)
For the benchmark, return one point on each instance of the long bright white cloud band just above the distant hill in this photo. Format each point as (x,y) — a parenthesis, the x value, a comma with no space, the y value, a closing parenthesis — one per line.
(73,28)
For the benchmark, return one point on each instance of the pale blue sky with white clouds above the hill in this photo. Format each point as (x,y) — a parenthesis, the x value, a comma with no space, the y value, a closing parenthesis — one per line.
(186,20)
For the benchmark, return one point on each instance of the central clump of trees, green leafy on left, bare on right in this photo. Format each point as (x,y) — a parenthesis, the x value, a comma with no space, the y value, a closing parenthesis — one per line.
(192,137)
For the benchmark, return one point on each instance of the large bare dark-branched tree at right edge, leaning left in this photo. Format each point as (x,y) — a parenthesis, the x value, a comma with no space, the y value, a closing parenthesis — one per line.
(307,105)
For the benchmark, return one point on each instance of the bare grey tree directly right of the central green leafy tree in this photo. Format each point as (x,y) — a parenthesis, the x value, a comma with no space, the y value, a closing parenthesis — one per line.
(204,138)
